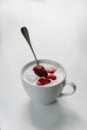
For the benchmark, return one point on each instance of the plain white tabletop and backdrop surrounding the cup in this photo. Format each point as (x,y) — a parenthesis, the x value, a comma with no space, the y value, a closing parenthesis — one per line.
(58,31)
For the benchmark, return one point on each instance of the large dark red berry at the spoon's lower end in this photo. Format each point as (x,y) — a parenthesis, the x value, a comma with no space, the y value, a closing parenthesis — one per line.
(40,71)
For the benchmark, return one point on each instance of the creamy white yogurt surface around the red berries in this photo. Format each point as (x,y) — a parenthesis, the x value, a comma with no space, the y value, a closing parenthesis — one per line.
(32,78)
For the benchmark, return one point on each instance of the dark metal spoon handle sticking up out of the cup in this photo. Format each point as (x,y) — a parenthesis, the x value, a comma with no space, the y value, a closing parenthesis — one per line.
(25,33)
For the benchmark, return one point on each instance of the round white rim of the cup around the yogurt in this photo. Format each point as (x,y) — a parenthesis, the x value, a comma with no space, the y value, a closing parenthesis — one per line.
(43,61)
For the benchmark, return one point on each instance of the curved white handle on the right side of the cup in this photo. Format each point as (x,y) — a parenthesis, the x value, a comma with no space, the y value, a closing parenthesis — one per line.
(71,84)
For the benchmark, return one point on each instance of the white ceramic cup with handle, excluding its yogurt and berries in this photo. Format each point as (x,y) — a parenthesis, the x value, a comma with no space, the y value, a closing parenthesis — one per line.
(46,95)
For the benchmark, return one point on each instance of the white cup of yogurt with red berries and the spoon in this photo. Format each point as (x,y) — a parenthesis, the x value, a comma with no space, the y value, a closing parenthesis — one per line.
(43,79)
